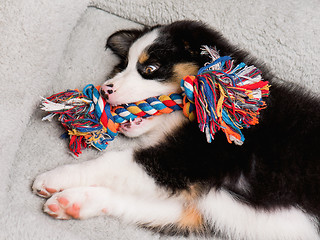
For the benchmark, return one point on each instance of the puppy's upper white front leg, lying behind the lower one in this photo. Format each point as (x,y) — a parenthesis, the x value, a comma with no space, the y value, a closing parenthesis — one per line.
(115,170)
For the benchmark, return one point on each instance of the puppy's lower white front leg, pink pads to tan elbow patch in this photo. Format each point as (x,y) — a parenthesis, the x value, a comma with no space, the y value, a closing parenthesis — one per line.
(153,211)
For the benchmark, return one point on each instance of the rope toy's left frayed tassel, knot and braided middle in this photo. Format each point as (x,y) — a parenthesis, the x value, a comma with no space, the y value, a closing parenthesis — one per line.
(90,120)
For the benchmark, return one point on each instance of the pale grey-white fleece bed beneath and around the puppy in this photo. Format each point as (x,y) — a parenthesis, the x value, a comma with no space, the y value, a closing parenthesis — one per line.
(49,46)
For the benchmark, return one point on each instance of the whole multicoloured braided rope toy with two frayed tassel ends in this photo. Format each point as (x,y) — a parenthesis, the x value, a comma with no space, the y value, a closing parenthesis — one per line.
(219,97)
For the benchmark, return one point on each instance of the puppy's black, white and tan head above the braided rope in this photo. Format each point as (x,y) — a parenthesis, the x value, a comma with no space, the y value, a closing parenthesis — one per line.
(154,60)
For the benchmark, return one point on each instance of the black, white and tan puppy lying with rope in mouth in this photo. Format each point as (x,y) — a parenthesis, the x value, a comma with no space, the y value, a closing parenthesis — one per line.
(162,173)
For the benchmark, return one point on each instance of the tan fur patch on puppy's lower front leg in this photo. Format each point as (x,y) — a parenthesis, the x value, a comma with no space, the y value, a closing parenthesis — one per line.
(191,219)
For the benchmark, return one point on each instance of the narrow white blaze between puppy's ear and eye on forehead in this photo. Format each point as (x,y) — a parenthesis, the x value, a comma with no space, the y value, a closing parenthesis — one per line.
(139,46)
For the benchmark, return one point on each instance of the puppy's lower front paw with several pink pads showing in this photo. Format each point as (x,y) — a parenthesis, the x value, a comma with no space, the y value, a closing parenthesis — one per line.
(77,203)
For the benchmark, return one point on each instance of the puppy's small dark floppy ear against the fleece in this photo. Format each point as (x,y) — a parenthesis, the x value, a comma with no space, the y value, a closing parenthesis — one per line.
(121,41)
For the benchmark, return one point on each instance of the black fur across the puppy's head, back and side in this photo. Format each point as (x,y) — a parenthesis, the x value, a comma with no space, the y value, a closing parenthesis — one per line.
(279,158)
